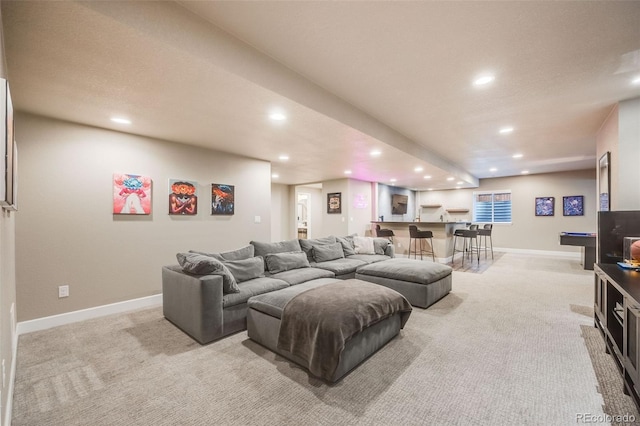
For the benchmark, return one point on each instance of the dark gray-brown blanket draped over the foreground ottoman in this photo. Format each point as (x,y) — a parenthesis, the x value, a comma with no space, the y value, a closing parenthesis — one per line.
(316,324)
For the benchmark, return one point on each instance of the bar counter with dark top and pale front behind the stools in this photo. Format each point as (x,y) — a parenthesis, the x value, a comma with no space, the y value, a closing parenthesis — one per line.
(442,236)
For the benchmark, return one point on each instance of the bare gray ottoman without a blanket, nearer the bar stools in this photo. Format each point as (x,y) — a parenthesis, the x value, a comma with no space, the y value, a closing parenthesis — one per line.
(422,283)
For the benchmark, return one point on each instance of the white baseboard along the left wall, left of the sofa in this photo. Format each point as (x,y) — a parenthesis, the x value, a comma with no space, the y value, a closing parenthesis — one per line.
(84,314)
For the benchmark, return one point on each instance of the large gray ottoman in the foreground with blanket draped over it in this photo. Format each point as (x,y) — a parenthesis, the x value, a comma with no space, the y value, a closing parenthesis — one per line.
(327,326)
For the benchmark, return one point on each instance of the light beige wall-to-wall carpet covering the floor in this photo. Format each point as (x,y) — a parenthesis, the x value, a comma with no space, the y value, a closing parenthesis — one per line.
(503,348)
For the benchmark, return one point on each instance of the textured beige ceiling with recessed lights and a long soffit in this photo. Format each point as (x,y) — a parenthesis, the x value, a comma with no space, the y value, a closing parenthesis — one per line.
(350,76)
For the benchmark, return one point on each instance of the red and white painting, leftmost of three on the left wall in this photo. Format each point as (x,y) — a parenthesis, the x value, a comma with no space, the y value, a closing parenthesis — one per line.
(131,194)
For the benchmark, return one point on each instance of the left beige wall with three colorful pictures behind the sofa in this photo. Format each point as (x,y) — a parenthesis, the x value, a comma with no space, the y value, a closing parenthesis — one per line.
(66,232)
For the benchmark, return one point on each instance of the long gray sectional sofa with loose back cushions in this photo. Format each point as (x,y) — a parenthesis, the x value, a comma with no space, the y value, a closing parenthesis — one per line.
(206,294)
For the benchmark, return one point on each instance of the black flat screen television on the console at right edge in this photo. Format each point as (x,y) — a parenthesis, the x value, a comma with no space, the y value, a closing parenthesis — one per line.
(612,228)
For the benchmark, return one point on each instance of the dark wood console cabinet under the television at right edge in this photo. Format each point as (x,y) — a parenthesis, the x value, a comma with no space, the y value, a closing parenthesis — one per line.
(617,316)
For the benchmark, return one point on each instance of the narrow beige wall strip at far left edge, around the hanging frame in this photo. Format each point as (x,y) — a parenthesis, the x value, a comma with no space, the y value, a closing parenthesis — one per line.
(7,285)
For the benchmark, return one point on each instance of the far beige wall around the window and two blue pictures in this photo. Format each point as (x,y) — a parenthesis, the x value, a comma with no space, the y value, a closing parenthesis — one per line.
(529,232)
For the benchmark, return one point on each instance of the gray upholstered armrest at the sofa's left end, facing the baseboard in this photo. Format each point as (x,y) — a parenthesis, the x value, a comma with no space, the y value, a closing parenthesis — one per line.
(193,303)
